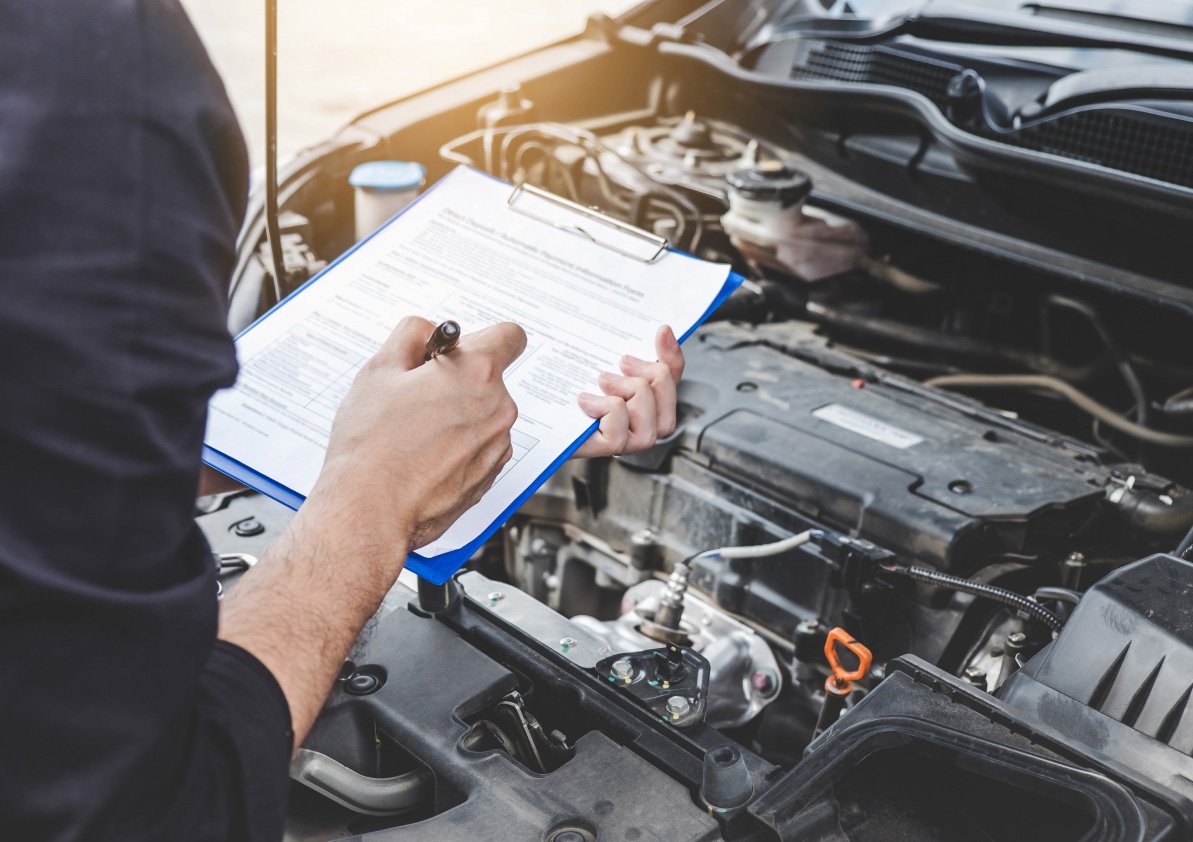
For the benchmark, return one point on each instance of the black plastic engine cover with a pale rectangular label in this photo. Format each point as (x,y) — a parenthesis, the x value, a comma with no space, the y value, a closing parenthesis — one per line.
(914,476)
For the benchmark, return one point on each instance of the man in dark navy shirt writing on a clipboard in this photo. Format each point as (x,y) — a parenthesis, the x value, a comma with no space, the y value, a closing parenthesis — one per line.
(123,716)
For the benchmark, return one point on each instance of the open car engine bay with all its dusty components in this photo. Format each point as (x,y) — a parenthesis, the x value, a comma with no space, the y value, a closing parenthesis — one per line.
(883,581)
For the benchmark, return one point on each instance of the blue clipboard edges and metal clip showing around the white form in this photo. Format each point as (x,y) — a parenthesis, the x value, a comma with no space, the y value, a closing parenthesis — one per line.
(441,568)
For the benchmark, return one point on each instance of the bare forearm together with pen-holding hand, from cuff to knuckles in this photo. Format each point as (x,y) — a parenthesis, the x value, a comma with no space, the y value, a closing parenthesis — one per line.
(413,447)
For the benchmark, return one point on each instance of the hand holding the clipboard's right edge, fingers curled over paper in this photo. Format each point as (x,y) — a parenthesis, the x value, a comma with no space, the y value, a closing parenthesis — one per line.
(639,406)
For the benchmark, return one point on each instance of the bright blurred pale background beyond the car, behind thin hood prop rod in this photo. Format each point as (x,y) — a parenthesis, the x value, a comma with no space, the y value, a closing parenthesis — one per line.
(337,60)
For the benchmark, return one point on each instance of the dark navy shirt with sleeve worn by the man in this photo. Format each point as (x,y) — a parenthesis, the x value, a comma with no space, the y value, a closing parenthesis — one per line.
(123,181)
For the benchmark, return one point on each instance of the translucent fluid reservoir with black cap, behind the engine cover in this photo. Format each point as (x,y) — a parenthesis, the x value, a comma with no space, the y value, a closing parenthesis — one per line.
(770,225)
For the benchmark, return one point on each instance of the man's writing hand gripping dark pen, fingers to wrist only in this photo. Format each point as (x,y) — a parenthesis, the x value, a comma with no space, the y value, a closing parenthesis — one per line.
(415,445)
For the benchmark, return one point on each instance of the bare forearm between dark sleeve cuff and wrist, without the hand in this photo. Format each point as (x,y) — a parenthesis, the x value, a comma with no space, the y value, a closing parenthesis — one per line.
(304,605)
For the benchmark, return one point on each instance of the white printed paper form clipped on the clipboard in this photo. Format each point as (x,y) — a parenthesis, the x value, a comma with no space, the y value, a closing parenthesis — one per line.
(459,253)
